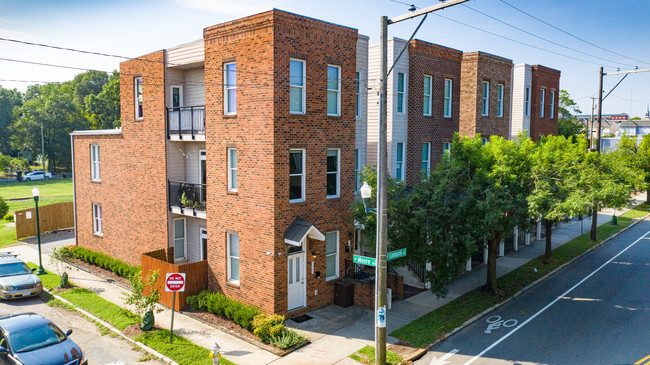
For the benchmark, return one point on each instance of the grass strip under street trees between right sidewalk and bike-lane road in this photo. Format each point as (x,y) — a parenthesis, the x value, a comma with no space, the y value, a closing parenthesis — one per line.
(434,325)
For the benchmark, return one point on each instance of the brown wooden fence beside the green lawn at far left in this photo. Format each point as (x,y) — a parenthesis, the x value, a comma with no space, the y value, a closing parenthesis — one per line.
(52,217)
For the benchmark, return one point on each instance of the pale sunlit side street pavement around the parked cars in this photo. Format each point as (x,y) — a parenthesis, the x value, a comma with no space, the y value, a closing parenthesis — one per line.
(104,350)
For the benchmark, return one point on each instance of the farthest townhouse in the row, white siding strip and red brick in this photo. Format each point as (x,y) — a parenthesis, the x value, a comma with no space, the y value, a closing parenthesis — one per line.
(535,100)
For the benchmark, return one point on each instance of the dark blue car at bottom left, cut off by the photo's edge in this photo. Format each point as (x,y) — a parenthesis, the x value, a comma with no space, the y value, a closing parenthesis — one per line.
(29,338)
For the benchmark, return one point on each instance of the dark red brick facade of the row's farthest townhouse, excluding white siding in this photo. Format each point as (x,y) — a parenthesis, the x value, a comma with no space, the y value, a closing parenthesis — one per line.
(544,78)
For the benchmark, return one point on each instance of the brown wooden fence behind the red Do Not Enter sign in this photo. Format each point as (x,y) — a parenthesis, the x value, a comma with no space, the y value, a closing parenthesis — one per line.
(196,277)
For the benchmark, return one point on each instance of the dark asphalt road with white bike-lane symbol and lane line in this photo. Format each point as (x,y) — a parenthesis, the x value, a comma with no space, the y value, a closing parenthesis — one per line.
(594,311)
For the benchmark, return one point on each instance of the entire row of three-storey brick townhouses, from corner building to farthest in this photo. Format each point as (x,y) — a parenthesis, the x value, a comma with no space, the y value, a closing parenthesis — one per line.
(243,149)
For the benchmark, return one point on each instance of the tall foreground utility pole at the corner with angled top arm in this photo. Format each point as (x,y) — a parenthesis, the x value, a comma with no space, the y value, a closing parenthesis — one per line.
(382,175)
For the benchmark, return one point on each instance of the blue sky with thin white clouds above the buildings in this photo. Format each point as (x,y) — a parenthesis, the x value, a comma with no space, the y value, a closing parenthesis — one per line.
(617,31)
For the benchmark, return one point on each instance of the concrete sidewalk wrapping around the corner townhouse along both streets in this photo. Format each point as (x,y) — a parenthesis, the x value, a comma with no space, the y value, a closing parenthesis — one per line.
(335,332)
